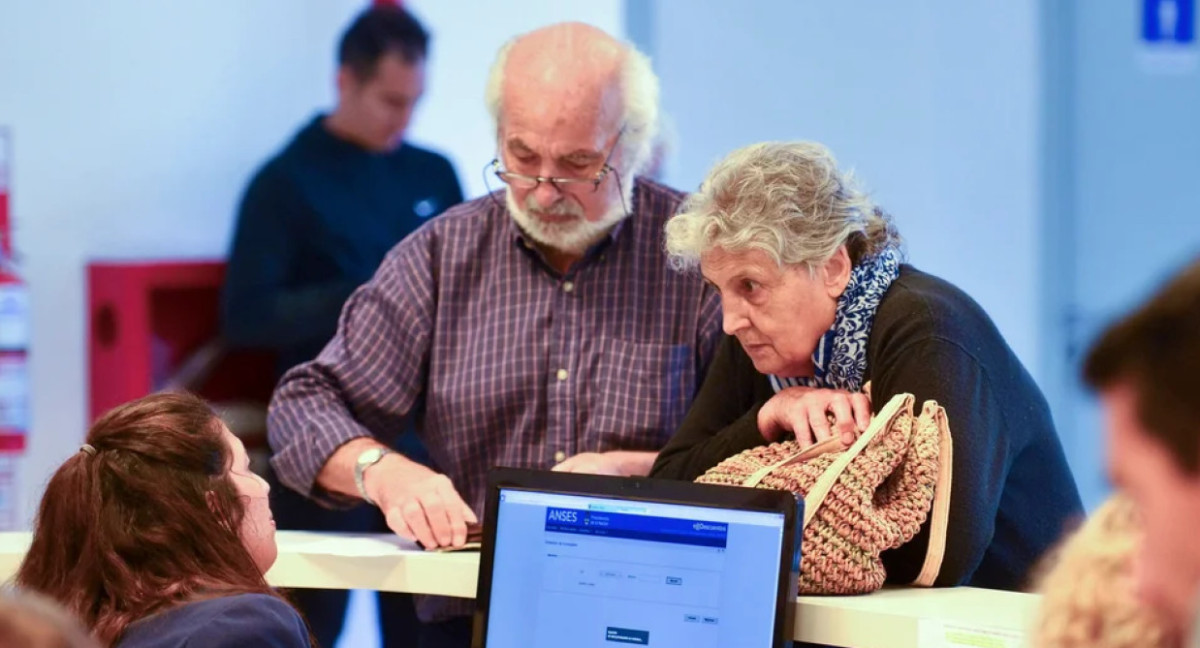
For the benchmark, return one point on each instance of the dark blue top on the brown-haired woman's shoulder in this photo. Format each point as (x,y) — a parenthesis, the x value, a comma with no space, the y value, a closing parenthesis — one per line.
(242,620)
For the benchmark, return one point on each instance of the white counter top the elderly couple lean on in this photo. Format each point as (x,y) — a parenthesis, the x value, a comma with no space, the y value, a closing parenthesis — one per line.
(893,619)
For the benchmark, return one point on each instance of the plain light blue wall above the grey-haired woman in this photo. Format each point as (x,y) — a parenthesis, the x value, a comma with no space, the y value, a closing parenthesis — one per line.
(934,104)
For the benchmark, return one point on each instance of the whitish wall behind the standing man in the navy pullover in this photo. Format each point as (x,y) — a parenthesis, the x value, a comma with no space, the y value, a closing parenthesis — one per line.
(137,124)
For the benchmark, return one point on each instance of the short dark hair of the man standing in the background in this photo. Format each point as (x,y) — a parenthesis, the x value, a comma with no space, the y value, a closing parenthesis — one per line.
(377,32)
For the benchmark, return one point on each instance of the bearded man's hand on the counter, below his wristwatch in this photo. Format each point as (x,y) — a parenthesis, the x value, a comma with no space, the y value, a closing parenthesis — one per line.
(418,503)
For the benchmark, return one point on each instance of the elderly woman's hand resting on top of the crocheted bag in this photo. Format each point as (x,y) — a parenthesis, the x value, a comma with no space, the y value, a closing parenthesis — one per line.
(814,416)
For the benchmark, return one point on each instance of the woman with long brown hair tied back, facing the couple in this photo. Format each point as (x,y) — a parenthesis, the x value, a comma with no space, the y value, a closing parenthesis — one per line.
(157,535)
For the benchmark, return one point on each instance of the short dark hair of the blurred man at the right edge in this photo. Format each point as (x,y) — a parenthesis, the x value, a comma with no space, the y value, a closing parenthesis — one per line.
(1156,351)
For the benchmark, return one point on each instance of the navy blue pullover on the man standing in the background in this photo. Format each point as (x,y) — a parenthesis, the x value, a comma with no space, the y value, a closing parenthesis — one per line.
(315,224)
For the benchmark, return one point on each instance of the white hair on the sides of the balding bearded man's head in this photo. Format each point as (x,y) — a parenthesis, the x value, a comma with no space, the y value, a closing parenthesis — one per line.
(639,92)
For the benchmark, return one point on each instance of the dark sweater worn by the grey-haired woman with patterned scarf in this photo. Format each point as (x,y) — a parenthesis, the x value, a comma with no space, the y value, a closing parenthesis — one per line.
(1012,493)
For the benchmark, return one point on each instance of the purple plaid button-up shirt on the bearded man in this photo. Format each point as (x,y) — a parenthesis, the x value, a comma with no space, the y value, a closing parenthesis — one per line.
(505,361)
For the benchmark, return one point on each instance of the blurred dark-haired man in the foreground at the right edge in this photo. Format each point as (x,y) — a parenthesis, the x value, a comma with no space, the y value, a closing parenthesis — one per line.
(1148,371)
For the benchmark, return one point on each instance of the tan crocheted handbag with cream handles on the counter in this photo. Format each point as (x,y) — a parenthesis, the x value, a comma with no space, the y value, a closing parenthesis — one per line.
(862,501)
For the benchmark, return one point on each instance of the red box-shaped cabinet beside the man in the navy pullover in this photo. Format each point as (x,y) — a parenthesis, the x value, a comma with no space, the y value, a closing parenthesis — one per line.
(151,319)
